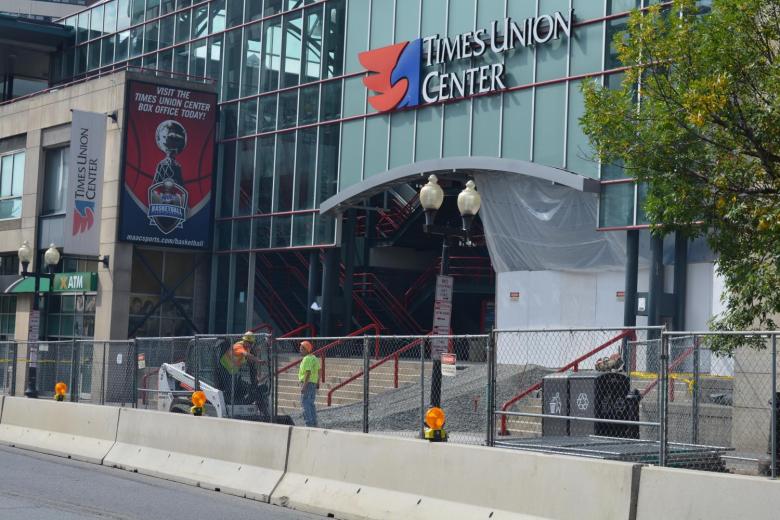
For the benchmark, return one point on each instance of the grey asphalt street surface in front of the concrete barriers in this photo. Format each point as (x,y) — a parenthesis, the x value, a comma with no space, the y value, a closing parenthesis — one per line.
(42,487)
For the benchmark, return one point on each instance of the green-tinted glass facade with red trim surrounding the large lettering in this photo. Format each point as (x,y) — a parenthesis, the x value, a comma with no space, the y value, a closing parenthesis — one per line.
(295,124)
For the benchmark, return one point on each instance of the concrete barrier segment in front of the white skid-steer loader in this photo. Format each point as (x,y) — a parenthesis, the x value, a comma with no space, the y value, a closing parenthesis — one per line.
(236,457)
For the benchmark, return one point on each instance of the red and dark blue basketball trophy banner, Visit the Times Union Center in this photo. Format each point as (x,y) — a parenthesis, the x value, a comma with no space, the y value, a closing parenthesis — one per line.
(168,166)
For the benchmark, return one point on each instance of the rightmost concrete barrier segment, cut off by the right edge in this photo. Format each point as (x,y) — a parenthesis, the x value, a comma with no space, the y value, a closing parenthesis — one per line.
(674,494)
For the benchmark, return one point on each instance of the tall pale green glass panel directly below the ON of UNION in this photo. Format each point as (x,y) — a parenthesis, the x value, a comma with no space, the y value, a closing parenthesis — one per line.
(549,125)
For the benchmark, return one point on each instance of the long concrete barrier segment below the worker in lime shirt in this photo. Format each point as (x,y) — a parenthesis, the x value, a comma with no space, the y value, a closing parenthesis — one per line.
(357,476)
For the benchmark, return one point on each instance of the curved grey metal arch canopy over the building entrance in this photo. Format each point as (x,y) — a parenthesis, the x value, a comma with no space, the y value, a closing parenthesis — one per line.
(457,167)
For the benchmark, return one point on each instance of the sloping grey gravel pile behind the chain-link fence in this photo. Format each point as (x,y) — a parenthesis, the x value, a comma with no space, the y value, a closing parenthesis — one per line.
(398,411)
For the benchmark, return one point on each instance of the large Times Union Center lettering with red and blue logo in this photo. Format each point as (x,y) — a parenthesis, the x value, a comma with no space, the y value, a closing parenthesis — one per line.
(400,76)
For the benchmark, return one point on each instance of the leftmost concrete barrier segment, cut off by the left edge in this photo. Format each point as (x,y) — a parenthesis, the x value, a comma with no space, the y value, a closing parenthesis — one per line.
(79,431)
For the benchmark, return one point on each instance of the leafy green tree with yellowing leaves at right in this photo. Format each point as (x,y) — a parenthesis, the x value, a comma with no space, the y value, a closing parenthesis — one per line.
(697,118)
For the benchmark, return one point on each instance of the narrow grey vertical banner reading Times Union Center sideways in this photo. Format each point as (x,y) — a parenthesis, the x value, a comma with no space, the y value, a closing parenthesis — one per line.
(85,183)
